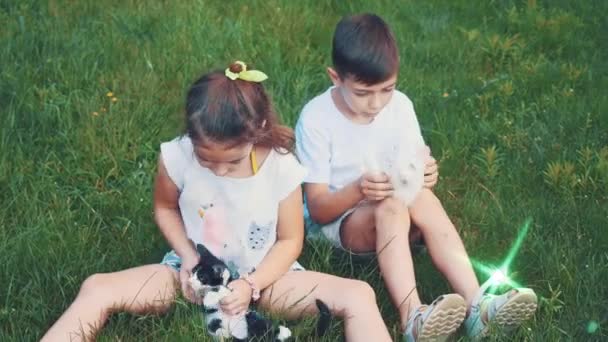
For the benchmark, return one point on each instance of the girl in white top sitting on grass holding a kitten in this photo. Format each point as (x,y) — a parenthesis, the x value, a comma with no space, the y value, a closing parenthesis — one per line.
(232,168)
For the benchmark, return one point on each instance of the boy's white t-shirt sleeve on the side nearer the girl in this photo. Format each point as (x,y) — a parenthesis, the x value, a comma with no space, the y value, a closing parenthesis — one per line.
(313,150)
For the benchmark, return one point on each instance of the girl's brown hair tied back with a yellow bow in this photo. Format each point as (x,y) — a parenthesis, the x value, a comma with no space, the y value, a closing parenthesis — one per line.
(234,111)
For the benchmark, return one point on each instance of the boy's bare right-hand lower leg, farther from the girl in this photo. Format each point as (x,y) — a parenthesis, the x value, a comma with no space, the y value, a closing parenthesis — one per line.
(444,244)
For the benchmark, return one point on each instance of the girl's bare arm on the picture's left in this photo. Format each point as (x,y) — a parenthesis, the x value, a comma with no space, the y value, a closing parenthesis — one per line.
(167,214)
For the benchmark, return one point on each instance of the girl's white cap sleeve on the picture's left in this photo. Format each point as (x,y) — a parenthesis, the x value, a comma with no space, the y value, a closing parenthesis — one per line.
(176,155)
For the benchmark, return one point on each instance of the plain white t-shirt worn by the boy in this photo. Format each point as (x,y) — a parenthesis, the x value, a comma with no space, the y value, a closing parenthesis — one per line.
(332,147)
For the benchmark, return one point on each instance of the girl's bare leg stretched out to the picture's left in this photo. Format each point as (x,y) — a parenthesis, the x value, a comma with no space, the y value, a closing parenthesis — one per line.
(145,289)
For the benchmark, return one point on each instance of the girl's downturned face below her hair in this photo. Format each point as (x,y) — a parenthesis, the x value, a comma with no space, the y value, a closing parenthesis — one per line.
(225,159)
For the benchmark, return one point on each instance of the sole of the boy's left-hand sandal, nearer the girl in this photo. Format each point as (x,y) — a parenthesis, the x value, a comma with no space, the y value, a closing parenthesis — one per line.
(446,318)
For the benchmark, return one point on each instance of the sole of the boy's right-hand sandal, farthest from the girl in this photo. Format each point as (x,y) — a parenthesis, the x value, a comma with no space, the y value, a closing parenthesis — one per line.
(518,309)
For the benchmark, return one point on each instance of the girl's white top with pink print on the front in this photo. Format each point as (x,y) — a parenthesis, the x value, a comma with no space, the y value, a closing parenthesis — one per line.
(245,208)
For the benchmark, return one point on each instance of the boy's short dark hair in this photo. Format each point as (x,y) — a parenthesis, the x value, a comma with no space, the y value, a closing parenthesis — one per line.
(364,47)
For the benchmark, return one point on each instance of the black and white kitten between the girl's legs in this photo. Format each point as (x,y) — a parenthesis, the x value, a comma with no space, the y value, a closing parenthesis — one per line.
(209,279)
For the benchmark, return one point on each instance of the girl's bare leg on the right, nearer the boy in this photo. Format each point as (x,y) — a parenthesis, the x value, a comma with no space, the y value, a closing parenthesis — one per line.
(295,293)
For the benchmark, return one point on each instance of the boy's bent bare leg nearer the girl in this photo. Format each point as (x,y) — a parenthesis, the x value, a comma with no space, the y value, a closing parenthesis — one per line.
(384,227)
